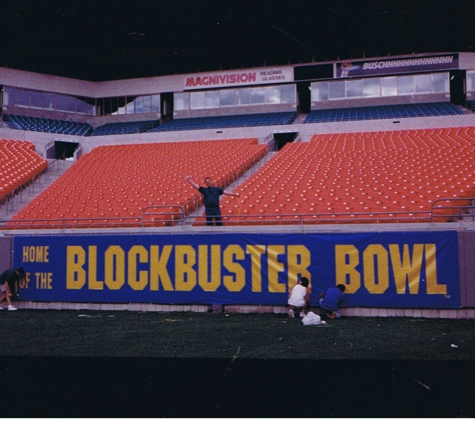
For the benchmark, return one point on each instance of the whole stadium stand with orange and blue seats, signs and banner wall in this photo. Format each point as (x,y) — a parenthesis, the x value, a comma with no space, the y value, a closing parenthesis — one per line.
(357,173)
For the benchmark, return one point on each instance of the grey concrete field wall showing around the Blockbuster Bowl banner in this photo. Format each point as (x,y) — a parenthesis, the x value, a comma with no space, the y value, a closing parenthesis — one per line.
(466,245)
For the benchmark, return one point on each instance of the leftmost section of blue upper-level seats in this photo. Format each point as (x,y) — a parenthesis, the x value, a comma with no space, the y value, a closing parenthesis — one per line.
(38,124)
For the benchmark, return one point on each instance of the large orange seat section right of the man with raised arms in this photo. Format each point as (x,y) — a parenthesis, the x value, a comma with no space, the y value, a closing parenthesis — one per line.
(359,175)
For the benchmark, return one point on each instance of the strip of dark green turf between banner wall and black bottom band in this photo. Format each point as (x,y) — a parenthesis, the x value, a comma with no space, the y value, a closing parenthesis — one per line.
(224,336)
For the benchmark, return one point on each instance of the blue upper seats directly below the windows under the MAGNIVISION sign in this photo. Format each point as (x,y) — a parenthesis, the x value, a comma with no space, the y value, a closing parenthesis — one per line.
(217,122)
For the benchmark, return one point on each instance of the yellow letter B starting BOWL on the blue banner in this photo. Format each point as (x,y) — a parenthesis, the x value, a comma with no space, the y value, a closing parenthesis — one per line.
(346,260)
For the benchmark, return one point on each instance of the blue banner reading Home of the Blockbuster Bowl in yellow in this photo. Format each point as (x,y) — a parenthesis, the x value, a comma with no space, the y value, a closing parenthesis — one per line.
(396,270)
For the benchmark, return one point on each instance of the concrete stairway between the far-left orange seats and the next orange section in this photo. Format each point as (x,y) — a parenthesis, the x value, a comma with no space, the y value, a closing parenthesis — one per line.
(55,169)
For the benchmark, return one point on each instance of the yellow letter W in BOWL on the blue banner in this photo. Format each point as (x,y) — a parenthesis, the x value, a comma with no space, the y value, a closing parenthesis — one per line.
(406,269)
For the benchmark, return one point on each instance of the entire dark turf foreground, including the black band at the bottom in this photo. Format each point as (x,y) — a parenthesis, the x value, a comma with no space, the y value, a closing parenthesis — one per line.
(136,364)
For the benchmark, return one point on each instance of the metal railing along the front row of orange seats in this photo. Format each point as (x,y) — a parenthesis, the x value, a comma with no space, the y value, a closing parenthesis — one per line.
(442,210)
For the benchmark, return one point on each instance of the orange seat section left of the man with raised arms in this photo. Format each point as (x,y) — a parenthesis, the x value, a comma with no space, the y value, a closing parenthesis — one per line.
(116,184)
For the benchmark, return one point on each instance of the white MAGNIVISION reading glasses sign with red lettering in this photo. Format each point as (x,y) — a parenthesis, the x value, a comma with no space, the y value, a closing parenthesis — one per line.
(237,78)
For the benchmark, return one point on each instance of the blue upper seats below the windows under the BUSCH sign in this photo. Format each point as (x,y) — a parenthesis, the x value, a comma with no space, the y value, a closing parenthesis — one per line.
(396,111)
